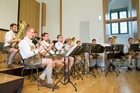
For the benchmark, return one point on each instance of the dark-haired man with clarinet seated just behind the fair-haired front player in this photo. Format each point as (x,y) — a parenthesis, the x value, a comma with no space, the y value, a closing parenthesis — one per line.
(50,47)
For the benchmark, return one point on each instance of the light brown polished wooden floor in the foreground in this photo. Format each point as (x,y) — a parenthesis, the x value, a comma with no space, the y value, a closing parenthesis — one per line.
(125,83)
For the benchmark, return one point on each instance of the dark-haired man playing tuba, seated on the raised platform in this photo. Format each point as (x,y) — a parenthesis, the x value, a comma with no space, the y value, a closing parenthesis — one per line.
(9,40)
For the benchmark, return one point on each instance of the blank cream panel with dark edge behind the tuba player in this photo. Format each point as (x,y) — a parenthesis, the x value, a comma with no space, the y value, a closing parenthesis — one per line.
(8,13)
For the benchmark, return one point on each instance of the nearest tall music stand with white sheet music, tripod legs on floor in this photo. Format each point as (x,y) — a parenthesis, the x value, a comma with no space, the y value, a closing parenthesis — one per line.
(67,77)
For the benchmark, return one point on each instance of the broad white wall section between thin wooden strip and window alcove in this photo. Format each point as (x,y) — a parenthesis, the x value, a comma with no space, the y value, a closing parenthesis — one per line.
(76,11)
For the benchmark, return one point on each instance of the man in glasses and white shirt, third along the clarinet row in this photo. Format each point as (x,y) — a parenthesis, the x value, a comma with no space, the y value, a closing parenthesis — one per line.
(61,51)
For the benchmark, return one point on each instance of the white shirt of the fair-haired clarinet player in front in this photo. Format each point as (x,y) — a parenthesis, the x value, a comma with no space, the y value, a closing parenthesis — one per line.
(25,48)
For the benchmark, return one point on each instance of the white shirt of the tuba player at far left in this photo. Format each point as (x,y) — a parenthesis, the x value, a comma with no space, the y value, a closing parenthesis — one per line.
(8,36)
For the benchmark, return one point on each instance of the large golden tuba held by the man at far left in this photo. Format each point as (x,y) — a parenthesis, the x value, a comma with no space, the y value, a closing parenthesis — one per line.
(20,34)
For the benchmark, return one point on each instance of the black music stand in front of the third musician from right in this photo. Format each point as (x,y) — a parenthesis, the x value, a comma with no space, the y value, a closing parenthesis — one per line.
(97,48)
